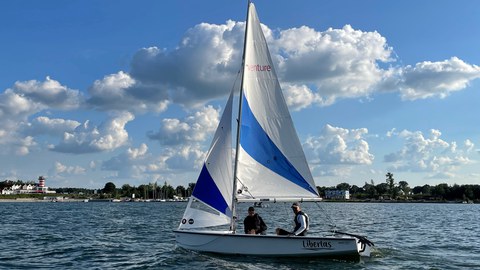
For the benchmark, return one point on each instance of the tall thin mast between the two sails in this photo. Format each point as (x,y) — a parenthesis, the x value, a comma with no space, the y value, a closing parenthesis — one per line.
(237,144)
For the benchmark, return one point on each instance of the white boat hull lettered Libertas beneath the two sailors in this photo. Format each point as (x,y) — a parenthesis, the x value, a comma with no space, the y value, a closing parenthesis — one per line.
(270,245)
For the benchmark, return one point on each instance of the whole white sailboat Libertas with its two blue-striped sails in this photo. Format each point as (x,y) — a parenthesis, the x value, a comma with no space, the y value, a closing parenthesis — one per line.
(269,166)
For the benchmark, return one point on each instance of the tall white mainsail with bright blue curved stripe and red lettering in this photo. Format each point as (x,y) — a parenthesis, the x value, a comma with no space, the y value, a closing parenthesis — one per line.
(271,161)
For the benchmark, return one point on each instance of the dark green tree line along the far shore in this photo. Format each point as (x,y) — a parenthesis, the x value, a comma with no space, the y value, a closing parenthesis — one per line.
(387,190)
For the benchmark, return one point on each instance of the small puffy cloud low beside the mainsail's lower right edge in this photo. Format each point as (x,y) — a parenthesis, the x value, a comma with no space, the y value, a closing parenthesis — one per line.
(339,146)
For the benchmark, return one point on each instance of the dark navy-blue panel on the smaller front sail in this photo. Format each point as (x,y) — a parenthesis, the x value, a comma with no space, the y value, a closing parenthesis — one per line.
(207,191)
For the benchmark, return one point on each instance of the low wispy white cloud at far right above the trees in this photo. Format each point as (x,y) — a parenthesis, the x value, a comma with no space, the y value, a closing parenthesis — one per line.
(427,153)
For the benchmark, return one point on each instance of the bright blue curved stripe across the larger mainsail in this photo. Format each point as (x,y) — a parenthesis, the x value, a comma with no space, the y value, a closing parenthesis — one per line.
(256,142)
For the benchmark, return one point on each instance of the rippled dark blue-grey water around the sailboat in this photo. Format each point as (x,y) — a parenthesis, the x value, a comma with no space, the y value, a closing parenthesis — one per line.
(139,236)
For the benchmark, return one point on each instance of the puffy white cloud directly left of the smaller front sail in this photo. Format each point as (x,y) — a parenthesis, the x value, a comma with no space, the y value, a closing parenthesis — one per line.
(183,151)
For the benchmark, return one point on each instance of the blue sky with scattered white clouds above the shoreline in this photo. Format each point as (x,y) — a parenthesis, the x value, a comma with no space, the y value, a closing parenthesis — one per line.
(130,92)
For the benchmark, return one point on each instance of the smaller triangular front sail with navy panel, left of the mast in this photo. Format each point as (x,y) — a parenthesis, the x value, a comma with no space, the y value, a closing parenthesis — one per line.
(211,201)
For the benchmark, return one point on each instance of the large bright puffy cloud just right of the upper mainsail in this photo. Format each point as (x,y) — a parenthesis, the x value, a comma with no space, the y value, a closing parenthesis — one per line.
(337,63)
